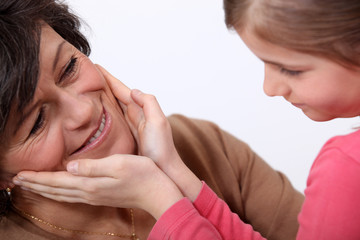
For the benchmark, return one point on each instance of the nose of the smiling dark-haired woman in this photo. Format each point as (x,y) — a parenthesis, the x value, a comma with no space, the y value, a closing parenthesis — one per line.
(78,111)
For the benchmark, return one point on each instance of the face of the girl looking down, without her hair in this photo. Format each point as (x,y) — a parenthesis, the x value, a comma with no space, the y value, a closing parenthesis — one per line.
(321,88)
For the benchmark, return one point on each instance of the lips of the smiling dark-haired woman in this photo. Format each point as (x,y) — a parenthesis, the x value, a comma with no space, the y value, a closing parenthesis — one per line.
(86,147)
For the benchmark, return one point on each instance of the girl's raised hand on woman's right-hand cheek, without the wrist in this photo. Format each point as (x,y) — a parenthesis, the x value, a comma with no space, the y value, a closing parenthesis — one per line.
(147,122)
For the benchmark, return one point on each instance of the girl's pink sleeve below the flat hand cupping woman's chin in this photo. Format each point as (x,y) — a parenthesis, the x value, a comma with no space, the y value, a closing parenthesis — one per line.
(182,221)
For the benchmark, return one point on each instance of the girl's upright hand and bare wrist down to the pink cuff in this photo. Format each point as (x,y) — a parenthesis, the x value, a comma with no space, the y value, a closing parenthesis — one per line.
(152,132)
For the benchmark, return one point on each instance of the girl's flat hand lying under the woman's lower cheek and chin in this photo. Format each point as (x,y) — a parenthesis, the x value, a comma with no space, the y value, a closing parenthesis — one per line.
(116,181)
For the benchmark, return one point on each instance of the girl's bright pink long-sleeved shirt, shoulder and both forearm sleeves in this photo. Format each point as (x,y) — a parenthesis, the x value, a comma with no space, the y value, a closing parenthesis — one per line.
(331,210)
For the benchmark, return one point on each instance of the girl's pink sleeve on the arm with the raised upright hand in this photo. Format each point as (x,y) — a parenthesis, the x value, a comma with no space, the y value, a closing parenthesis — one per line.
(219,214)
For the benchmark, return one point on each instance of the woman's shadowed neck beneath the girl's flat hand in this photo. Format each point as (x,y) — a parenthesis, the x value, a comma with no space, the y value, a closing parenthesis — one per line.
(72,216)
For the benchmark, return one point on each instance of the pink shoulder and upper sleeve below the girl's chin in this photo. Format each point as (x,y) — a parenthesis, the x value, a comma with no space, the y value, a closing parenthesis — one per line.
(332,197)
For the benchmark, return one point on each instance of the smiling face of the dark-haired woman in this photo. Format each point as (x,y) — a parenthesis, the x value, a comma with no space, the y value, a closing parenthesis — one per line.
(73,115)
